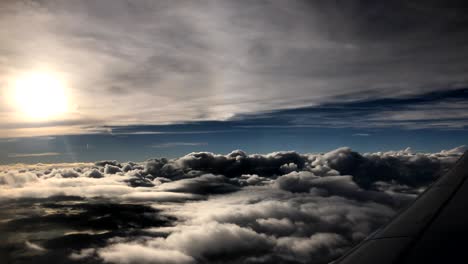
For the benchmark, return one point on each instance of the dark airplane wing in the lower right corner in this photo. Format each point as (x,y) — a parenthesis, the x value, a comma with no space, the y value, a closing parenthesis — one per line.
(432,229)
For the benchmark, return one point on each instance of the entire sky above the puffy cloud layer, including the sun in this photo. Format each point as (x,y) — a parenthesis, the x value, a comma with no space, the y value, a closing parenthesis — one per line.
(89,80)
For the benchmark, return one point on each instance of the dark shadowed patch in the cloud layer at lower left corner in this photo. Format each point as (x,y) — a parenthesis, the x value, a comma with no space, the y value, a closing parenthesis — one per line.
(70,226)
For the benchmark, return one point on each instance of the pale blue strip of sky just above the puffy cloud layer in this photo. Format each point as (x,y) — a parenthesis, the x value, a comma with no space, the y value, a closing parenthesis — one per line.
(259,140)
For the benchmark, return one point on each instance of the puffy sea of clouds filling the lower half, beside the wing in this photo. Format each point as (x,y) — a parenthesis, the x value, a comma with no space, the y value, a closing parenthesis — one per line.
(211,208)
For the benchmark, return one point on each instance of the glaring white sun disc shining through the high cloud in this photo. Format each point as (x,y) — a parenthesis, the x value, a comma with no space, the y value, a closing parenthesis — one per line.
(39,96)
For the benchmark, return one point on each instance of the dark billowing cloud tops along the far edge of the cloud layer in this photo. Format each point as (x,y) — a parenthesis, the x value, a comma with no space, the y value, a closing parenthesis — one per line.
(405,168)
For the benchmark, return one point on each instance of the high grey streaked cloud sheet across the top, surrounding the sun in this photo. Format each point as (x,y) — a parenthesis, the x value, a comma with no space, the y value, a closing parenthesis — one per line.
(158,62)
